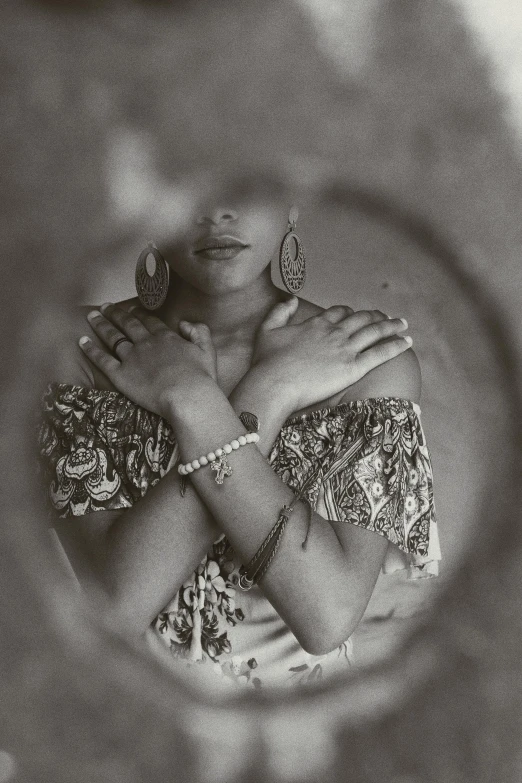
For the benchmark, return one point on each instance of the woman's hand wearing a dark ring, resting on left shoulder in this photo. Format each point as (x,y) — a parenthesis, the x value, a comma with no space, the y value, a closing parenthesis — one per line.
(152,365)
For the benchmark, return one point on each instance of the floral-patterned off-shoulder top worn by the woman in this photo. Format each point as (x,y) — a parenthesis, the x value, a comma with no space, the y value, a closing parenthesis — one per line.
(364,463)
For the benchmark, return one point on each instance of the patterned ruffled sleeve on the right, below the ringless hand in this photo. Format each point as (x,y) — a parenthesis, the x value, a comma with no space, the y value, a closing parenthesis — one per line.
(366,463)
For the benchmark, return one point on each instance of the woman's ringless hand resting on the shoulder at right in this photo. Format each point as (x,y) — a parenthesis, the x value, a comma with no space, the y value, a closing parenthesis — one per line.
(324,354)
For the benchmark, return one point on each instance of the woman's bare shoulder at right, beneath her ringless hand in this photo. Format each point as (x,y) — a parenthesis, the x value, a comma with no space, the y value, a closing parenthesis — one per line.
(398,377)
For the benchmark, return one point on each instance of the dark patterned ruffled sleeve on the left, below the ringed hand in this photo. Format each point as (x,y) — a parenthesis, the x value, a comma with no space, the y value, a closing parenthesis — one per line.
(98,450)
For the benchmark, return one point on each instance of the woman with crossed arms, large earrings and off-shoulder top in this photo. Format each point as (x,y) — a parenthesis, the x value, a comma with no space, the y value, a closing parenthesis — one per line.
(331,397)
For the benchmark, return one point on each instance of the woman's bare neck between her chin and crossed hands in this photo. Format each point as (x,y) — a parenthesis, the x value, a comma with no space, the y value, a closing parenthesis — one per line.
(233,315)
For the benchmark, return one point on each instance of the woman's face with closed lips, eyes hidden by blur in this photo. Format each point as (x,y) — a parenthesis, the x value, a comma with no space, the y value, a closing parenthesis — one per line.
(230,233)
